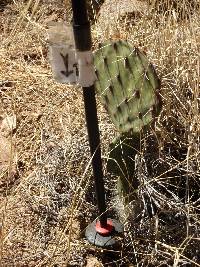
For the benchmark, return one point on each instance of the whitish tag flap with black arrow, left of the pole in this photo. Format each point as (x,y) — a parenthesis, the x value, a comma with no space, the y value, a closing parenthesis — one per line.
(62,53)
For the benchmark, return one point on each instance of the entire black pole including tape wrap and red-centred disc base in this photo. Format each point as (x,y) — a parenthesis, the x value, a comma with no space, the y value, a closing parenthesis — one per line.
(102,232)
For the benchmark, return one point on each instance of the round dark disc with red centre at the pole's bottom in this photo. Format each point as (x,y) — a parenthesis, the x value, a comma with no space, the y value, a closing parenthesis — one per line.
(104,236)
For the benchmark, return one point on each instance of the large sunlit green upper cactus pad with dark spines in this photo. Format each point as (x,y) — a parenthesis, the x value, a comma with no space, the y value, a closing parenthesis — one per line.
(127,85)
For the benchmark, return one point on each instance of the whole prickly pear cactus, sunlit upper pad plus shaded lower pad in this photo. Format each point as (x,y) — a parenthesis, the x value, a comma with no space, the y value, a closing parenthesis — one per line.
(128,87)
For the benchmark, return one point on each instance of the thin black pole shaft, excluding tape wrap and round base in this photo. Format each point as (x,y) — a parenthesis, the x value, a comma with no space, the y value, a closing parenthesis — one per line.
(82,36)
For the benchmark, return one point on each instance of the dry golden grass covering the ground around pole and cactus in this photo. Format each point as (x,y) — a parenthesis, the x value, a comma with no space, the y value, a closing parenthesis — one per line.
(45,209)
